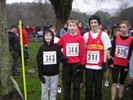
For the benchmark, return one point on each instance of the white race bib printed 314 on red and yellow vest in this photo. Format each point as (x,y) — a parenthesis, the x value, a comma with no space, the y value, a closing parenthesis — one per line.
(93,57)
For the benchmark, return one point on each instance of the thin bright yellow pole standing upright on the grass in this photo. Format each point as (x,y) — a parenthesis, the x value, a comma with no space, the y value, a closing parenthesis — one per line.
(22,57)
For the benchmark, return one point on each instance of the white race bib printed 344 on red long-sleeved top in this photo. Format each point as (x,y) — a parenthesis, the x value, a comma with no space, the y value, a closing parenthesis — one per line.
(72,49)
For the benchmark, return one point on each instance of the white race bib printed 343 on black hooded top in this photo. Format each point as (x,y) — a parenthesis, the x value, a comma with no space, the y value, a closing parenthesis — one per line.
(49,58)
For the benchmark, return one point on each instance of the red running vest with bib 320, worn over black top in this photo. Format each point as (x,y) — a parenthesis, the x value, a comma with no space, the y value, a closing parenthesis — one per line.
(122,50)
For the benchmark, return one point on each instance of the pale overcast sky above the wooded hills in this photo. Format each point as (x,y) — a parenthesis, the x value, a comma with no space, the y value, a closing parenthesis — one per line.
(88,5)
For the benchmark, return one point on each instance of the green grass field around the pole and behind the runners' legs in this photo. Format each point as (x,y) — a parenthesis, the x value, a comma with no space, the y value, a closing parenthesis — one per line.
(33,83)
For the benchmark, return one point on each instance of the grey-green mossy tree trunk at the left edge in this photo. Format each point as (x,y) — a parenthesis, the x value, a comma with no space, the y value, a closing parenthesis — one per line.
(5,65)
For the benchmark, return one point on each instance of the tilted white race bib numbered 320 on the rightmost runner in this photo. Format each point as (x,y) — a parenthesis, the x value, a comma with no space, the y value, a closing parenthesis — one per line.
(121,51)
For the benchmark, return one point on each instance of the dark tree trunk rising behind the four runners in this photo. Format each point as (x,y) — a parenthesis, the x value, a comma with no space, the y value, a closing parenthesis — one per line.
(62,9)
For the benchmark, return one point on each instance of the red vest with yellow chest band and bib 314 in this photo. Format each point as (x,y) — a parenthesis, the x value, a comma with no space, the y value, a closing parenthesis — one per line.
(95,50)
